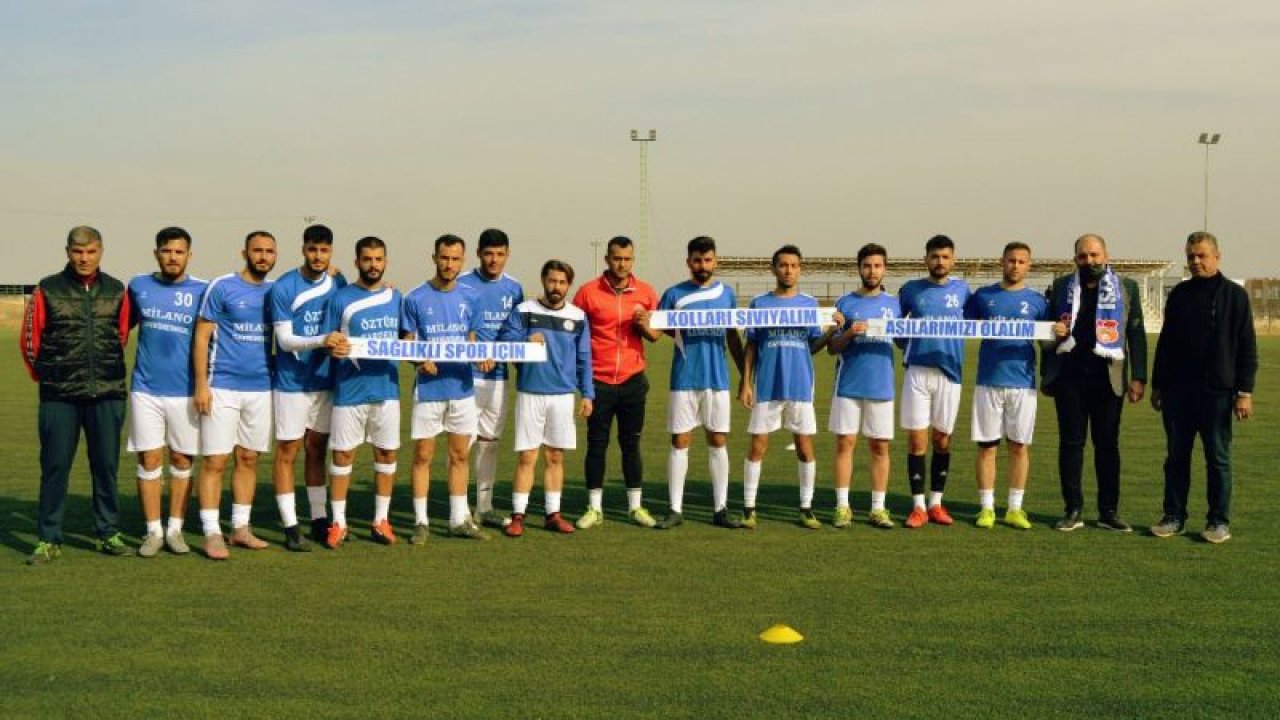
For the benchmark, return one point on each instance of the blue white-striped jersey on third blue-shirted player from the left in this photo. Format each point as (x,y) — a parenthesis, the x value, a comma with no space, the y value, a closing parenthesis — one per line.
(301,303)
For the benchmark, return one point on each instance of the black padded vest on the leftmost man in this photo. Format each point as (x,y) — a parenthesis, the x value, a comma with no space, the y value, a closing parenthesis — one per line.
(81,357)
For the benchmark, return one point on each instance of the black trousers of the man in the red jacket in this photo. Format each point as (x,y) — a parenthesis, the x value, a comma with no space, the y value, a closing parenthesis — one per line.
(625,402)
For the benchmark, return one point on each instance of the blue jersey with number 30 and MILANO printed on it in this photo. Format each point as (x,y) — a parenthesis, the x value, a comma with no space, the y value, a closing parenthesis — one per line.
(166,315)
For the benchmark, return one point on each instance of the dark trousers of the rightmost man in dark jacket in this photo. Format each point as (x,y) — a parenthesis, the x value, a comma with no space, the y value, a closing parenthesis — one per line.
(1190,413)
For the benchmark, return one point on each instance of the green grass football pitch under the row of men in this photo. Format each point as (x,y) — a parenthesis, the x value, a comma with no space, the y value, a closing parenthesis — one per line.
(633,623)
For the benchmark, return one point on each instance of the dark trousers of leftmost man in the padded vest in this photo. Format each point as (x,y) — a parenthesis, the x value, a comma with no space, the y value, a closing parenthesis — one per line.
(60,425)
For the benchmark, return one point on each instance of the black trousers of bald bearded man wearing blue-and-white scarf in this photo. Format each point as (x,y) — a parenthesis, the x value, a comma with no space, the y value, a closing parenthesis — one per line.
(1087,405)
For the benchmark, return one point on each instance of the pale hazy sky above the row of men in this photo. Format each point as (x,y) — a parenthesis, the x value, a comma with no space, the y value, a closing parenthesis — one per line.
(822,124)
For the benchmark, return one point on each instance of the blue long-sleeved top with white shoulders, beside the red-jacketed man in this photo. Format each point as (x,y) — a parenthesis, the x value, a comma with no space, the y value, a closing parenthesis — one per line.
(569,349)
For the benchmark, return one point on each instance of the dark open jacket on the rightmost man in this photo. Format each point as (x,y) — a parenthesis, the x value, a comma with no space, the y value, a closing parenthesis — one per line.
(1235,362)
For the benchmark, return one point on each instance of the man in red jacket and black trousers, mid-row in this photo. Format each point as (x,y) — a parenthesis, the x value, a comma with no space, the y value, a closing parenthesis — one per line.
(612,304)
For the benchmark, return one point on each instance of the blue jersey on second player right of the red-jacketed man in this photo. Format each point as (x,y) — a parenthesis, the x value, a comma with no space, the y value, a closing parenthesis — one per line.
(784,364)
